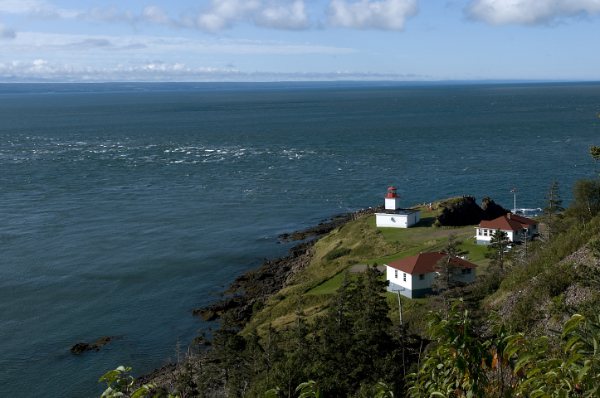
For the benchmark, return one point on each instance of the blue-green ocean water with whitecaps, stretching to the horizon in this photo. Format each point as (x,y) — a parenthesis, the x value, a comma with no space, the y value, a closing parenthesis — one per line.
(123,211)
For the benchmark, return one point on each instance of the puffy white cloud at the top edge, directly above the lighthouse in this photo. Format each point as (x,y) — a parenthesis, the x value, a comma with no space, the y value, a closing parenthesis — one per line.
(366,14)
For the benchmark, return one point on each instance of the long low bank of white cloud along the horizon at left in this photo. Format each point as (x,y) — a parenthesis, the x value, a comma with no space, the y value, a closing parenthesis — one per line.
(156,71)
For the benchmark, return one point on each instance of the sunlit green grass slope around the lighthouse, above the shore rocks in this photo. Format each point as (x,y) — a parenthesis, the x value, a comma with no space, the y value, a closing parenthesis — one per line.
(313,286)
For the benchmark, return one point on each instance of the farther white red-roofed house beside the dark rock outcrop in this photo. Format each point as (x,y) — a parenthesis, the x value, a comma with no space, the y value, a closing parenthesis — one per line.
(516,227)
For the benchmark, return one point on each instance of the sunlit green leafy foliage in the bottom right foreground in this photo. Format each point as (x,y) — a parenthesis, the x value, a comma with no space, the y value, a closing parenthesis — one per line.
(508,365)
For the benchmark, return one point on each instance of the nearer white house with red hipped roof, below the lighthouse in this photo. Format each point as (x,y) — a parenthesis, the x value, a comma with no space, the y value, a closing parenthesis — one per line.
(414,275)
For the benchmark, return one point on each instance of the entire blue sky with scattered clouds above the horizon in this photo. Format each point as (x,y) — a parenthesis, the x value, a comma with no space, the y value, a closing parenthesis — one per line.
(298,40)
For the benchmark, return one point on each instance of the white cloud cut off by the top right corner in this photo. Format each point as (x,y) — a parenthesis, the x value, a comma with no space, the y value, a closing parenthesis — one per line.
(528,12)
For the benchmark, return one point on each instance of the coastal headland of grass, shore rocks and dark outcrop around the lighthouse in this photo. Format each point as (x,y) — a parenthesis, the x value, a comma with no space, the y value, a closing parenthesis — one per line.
(306,279)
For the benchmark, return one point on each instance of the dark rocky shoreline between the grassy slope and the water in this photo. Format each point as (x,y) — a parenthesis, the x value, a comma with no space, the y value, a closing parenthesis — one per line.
(257,286)
